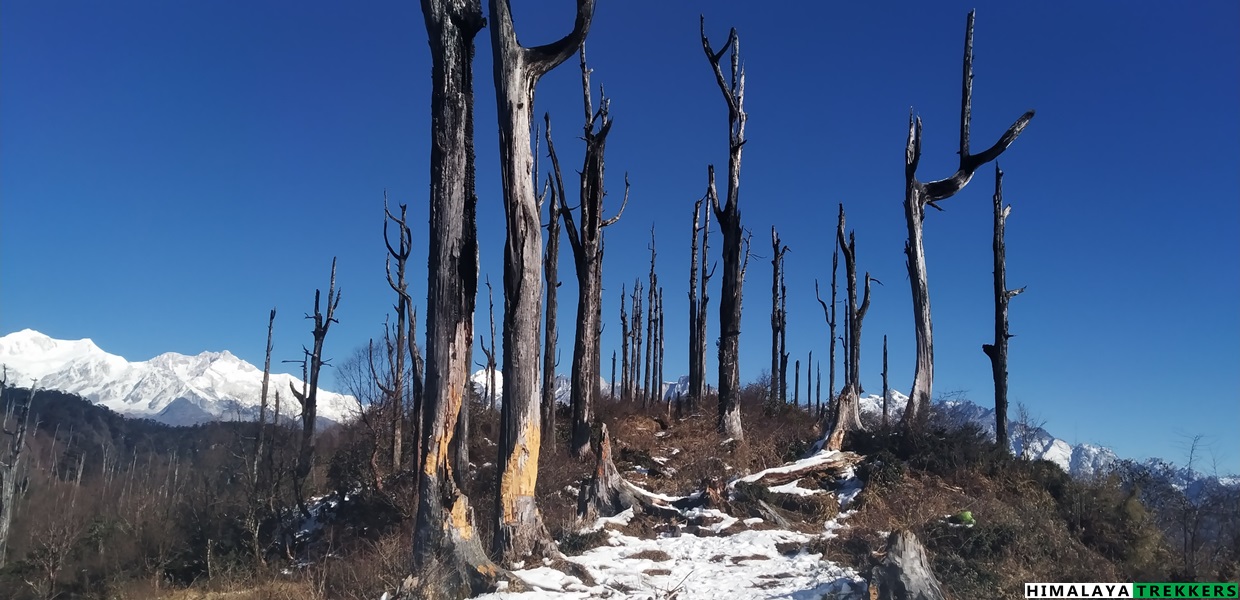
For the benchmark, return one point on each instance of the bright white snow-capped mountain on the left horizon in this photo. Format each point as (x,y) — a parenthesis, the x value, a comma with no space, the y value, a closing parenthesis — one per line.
(172,389)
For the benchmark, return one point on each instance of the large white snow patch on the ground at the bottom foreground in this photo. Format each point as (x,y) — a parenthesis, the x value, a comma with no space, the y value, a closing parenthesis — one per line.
(743,566)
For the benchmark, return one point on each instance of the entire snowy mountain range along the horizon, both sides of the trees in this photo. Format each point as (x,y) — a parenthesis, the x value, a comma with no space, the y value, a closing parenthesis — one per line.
(182,390)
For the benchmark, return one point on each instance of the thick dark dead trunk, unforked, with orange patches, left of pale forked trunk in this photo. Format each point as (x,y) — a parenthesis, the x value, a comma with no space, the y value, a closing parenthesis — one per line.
(445,539)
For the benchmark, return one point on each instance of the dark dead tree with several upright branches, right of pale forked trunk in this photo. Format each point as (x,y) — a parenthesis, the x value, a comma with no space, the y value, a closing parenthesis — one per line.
(586,239)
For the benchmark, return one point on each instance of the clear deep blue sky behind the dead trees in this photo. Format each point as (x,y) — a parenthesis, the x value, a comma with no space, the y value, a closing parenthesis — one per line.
(169,172)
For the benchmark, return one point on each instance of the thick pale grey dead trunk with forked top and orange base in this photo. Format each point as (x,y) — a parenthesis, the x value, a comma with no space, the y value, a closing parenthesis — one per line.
(520,531)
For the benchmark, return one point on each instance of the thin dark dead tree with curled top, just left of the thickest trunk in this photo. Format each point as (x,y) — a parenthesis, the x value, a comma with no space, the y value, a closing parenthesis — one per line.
(401,254)
